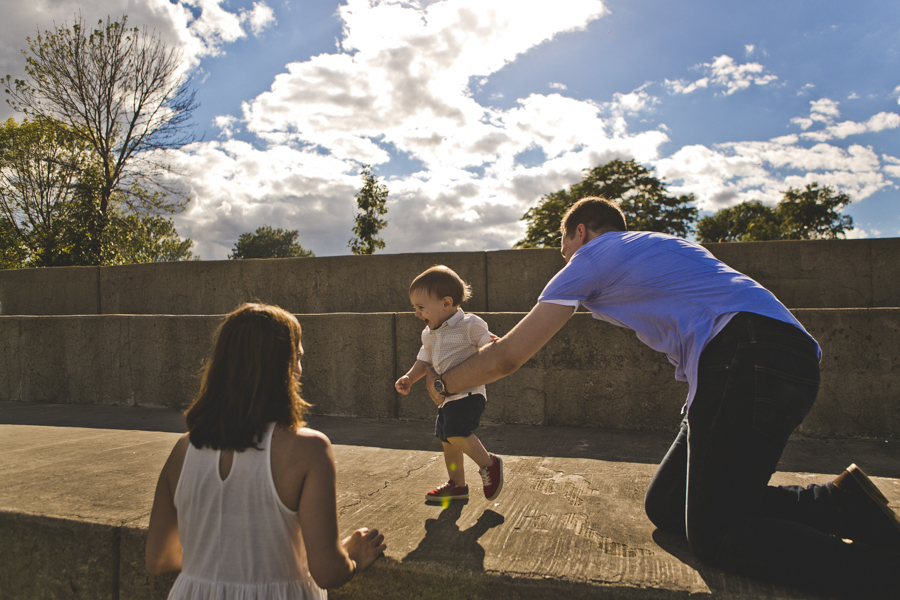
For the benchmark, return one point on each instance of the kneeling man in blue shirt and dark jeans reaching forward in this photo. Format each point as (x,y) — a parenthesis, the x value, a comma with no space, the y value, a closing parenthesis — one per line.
(752,373)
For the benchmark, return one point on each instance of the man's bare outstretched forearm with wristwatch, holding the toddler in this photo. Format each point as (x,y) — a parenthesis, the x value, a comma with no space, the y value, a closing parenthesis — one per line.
(507,354)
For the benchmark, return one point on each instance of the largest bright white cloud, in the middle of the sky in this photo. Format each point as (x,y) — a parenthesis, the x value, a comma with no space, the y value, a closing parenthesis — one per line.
(399,82)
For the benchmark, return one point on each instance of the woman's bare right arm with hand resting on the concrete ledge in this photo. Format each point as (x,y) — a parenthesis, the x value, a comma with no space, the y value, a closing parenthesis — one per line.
(331,562)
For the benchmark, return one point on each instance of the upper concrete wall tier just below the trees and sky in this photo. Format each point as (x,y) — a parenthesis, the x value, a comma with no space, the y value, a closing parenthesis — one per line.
(809,274)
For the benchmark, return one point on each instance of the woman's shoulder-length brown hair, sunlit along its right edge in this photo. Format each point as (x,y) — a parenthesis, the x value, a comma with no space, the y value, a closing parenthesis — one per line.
(249,381)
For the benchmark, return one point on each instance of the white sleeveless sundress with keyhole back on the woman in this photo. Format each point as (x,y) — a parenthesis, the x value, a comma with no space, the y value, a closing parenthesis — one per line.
(239,541)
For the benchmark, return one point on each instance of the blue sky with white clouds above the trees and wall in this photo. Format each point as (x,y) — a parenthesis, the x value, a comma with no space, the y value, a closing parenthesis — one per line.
(471,110)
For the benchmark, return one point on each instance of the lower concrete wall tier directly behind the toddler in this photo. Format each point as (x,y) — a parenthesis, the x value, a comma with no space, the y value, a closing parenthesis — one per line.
(590,374)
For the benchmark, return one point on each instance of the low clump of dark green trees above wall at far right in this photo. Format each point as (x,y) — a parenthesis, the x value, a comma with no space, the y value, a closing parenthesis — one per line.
(808,214)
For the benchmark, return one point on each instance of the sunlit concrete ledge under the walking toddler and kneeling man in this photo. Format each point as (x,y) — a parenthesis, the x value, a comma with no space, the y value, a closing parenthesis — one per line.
(78,484)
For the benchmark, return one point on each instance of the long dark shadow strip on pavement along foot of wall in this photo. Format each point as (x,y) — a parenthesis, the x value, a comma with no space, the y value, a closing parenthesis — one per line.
(879,458)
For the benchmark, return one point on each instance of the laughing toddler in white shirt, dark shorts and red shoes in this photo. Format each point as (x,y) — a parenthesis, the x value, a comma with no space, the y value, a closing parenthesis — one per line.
(450,337)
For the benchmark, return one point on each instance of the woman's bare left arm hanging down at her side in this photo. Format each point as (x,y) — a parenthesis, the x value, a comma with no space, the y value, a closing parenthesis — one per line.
(163,550)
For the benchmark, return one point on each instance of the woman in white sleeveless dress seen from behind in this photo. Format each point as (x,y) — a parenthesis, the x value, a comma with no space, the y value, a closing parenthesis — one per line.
(245,506)
